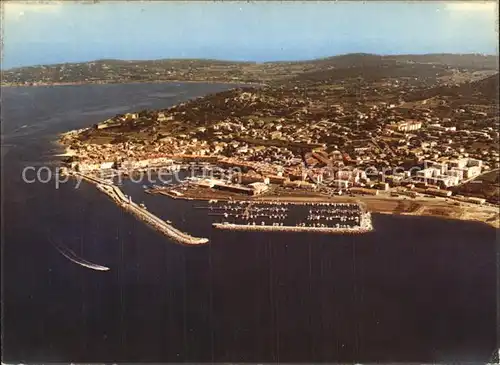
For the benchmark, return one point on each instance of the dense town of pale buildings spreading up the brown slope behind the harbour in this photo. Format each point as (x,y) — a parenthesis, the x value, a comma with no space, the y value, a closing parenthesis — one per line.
(329,135)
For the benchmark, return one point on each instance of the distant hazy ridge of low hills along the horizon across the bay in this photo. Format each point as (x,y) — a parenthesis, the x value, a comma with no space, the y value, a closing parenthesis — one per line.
(366,66)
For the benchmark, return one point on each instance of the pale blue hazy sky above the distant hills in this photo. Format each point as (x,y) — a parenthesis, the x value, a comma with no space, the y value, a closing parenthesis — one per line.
(63,31)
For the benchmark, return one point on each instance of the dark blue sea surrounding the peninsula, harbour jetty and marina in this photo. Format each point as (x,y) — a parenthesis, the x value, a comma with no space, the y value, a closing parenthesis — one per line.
(416,289)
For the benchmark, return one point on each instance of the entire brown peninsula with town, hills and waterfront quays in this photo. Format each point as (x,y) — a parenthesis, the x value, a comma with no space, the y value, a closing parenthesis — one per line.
(414,135)
